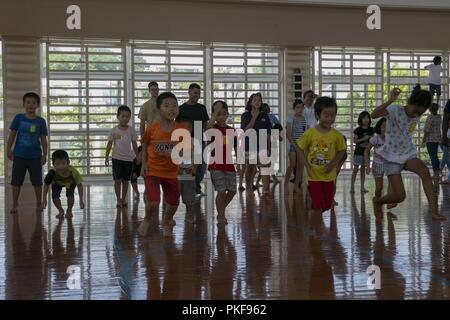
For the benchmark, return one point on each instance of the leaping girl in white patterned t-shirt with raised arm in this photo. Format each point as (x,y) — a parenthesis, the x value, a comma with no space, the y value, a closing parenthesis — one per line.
(399,151)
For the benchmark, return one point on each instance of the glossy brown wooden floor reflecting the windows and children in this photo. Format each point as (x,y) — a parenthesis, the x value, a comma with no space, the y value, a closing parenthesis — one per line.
(270,249)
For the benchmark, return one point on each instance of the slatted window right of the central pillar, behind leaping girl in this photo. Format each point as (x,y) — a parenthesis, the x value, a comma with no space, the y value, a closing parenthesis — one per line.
(361,78)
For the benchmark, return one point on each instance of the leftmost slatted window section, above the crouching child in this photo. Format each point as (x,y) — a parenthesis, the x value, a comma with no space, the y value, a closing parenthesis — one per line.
(85,85)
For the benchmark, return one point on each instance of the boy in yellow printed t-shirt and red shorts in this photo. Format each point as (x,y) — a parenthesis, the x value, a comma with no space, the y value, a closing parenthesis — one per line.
(321,149)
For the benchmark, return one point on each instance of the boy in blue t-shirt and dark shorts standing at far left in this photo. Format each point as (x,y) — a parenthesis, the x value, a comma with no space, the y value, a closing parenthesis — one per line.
(29,136)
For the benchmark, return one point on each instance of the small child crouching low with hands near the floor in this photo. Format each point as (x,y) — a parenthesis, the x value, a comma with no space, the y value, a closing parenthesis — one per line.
(63,175)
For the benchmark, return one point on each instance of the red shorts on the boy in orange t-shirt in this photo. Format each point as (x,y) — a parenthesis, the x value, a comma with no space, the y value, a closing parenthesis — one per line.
(170,188)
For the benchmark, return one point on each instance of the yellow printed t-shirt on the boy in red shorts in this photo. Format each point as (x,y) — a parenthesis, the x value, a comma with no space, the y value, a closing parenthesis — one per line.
(320,149)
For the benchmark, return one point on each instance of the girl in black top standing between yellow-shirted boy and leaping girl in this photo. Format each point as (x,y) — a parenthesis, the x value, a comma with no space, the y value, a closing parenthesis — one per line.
(361,137)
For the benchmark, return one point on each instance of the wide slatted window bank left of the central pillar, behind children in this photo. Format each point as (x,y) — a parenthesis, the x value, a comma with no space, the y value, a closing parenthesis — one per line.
(87,81)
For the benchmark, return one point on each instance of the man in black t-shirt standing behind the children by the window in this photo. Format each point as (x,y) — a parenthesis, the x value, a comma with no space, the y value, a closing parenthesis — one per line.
(195,111)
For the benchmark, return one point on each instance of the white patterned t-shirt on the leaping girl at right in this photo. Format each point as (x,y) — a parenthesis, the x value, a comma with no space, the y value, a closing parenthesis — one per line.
(399,146)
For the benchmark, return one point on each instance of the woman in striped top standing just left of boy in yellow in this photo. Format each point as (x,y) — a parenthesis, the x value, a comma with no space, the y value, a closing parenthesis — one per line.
(295,127)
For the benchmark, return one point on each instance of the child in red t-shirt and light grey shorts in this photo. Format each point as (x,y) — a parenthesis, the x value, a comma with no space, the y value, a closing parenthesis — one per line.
(223,175)
